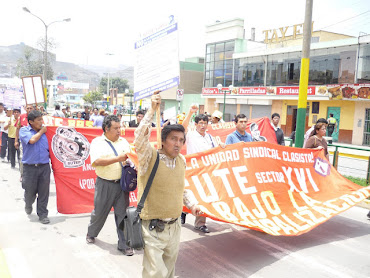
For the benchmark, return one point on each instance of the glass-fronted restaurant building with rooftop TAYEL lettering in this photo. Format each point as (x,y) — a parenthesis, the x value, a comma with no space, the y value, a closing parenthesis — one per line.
(258,79)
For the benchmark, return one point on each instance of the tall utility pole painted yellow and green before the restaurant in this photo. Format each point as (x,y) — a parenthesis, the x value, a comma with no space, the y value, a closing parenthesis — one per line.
(305,69)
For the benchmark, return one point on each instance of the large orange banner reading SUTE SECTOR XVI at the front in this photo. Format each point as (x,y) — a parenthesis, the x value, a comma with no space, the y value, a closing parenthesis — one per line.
(271,188)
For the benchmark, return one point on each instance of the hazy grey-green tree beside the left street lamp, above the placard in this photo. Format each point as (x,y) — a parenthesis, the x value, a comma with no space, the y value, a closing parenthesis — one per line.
(32,63)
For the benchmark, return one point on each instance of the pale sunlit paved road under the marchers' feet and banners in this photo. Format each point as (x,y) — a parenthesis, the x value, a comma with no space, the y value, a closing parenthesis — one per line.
(337,248)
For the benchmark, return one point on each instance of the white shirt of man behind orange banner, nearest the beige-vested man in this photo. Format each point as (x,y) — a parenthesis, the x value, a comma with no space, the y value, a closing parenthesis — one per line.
(196,143)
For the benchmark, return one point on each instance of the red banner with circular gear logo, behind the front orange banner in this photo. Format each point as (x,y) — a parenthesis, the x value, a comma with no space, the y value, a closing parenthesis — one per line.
(73,173)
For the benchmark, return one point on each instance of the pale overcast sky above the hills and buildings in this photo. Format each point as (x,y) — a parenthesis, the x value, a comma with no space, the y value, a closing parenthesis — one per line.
(112,26)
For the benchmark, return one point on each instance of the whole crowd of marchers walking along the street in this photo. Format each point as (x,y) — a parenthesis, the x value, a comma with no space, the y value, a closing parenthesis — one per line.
(23,140)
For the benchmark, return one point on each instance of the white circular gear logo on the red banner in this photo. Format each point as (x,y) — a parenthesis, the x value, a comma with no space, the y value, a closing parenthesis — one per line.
(70,147)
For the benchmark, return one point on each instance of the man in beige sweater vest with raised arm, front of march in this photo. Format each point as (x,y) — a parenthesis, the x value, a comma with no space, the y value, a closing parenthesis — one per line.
(163,205)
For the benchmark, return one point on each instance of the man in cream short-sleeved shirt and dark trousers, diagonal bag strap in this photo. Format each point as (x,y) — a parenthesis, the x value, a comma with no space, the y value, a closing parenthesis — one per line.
(108,192)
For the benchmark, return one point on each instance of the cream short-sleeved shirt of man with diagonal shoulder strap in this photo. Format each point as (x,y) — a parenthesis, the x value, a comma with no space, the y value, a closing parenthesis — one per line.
(101,149)
